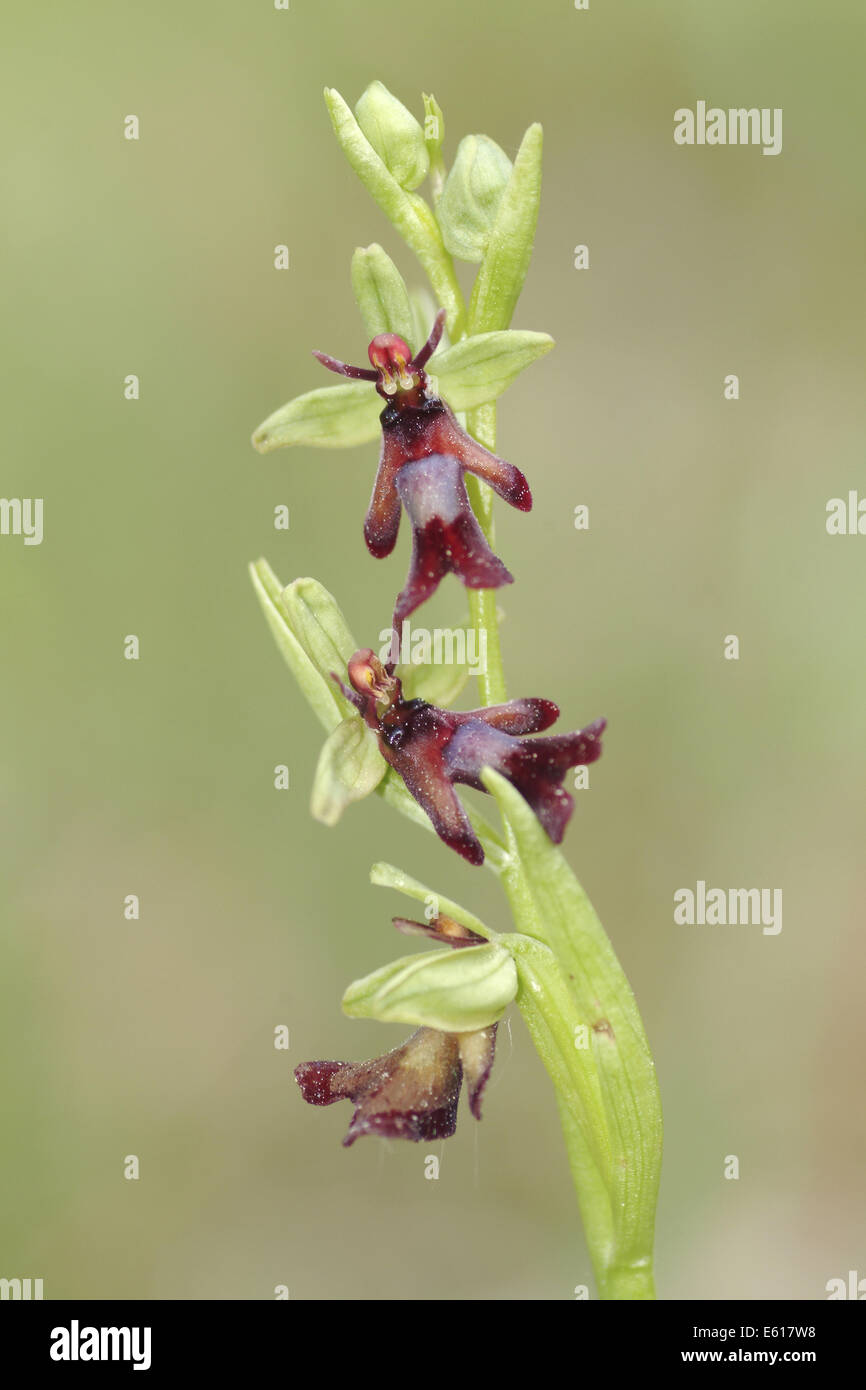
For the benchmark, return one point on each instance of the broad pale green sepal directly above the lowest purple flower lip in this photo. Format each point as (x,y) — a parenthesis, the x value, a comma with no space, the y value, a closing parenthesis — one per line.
(457,992)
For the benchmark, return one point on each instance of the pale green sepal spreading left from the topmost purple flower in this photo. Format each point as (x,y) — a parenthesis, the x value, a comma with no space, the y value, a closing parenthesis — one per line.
(330,418)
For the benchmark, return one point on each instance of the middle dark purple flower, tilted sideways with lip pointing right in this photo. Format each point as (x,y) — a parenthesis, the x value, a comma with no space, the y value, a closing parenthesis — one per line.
(434,749)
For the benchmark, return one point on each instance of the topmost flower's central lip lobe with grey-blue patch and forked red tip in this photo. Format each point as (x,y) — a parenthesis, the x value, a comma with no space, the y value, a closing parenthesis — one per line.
(447,537)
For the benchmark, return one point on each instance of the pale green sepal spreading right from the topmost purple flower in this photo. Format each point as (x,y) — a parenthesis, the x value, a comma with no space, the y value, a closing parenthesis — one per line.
(477,370)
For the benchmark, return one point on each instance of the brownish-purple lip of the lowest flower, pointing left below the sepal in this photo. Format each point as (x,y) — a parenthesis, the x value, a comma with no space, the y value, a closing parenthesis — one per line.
(412,1092)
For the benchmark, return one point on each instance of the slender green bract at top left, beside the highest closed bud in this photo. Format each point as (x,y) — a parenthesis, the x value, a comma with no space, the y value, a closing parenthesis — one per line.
(408,212)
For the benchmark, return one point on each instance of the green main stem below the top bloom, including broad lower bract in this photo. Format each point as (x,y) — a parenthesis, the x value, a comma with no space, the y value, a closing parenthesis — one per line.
(572,986)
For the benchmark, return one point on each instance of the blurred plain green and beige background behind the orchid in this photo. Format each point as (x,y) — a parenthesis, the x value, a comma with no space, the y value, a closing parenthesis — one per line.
(156,778)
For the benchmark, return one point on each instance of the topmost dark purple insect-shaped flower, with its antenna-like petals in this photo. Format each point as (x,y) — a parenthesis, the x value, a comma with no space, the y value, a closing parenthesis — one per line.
(423,464)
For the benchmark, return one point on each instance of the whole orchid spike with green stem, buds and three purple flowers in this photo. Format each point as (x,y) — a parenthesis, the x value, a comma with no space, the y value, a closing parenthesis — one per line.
(391,730)
